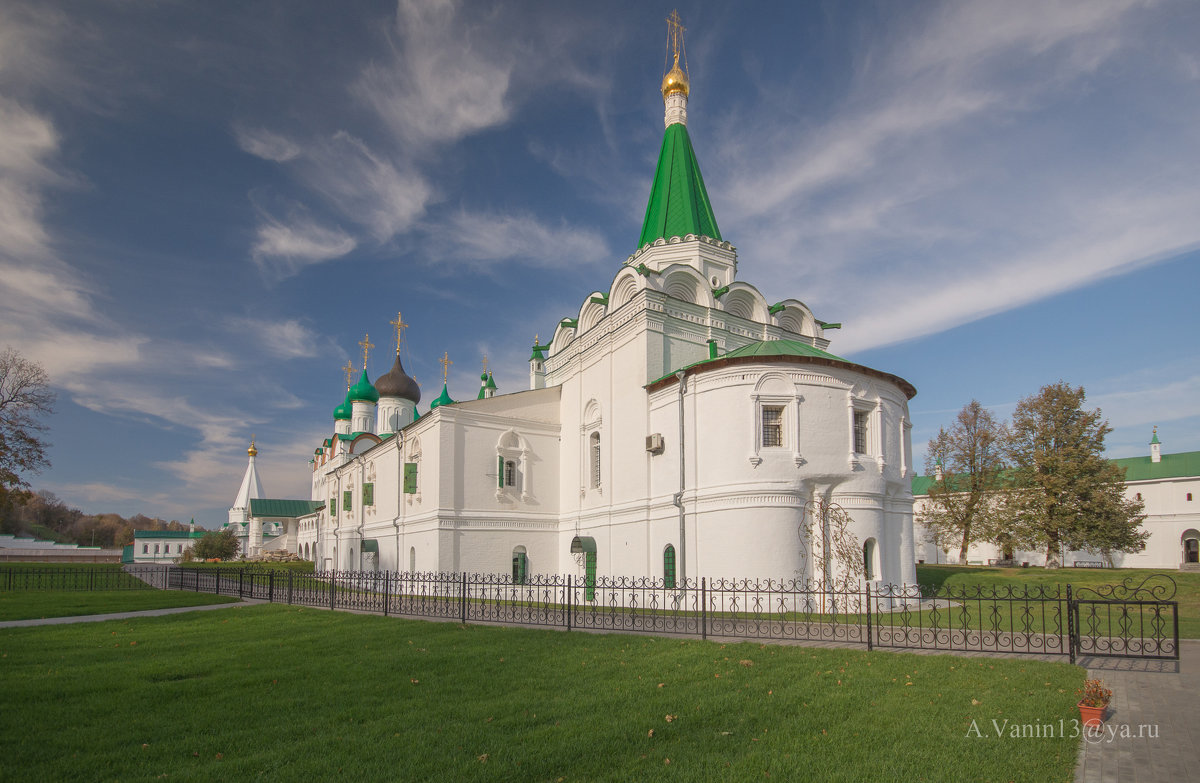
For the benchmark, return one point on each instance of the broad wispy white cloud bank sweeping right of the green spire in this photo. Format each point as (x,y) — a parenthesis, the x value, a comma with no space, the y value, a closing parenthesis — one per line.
(910,190)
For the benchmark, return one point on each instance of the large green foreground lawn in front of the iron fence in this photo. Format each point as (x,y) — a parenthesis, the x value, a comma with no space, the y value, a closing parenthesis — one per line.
(291,694)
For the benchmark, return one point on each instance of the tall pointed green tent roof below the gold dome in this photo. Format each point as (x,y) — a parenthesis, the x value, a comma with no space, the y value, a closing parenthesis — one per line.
(679,204)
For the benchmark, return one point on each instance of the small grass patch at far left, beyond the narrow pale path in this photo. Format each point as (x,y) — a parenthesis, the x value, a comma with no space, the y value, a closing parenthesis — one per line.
(31,605)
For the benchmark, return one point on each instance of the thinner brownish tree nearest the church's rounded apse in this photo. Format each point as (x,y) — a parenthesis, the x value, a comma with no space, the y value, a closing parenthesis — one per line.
(969,468)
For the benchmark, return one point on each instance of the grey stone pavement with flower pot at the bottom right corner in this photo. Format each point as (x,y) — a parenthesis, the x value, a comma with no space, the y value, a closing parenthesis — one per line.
(1153,730)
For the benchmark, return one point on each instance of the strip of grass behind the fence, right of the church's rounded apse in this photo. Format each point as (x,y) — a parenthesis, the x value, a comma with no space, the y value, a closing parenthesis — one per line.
(1187,584)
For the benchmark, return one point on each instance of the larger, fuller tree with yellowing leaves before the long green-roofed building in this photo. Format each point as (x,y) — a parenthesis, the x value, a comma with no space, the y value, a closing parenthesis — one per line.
(1069,495)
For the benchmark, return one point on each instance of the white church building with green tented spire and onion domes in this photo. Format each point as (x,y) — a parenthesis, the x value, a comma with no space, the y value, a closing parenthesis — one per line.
(675,427)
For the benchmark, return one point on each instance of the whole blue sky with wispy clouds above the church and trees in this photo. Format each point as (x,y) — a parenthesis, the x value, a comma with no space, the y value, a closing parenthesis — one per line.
(203,207)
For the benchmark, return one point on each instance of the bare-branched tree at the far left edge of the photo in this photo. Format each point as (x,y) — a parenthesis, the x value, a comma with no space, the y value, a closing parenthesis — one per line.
(26,397)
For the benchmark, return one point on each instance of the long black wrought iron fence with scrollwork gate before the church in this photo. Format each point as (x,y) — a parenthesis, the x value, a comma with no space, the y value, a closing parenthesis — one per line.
(1126,620)
